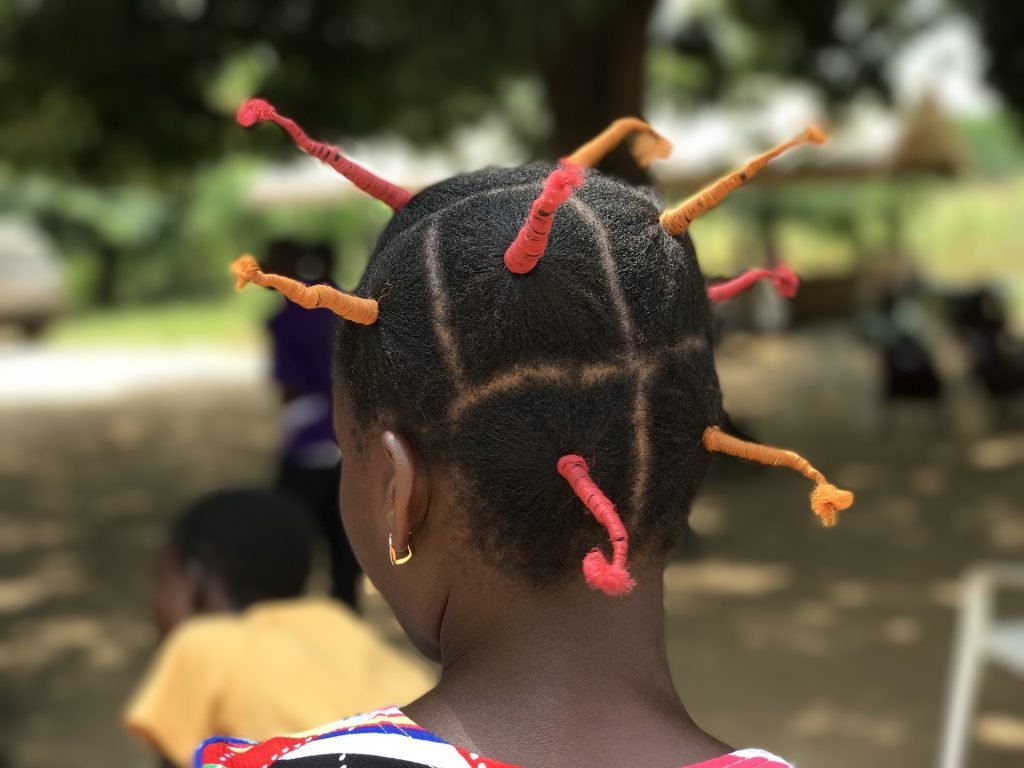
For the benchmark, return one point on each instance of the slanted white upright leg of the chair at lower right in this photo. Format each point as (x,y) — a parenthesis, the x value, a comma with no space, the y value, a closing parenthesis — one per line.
(965,674)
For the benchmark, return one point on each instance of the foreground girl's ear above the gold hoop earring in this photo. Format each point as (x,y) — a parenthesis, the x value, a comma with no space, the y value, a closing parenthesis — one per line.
(408,492)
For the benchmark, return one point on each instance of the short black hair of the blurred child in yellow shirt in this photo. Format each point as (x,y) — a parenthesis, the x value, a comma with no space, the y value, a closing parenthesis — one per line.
(259,543)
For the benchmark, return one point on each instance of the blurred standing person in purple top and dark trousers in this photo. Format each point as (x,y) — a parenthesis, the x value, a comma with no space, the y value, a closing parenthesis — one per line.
(310,466)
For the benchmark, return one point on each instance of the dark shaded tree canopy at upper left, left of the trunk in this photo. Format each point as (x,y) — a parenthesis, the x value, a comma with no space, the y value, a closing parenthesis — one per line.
(115,90)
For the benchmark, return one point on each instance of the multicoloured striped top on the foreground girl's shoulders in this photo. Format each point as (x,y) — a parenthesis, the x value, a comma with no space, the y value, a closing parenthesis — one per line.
(388,739)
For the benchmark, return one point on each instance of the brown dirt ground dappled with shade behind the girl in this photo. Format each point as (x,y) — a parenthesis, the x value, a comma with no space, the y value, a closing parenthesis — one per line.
(831,648)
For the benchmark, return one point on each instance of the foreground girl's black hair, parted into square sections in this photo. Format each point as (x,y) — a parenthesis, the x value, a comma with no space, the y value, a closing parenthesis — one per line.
(605,350)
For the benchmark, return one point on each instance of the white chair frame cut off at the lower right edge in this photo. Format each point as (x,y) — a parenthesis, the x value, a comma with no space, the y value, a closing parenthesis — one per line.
(979,639)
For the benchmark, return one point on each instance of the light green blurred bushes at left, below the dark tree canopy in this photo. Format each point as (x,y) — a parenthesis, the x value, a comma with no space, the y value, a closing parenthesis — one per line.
(179,246)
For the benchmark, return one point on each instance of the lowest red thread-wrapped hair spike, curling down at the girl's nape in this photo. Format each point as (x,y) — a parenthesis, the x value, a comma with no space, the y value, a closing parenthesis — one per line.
(612,578)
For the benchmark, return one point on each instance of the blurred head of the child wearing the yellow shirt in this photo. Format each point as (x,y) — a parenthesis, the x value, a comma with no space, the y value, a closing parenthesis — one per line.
(231,549)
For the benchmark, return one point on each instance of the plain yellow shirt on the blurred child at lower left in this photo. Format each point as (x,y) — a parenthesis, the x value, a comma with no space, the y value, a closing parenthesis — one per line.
(281,667)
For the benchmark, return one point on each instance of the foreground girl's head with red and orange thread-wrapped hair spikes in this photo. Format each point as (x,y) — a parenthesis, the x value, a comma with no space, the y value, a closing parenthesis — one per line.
(539,348)
